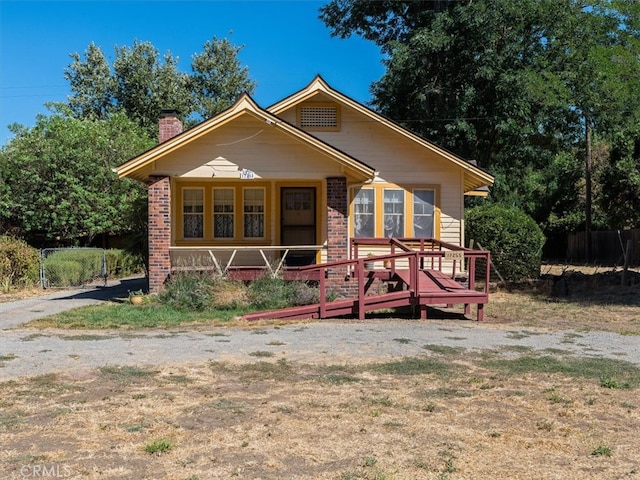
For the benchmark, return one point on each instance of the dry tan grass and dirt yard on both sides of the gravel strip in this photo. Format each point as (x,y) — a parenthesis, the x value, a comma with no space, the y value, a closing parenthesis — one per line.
(446,414)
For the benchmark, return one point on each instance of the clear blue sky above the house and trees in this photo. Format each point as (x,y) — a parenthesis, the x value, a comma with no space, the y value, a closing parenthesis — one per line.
(285,45)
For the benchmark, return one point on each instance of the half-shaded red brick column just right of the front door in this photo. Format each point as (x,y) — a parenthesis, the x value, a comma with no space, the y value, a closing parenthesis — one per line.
(338,232)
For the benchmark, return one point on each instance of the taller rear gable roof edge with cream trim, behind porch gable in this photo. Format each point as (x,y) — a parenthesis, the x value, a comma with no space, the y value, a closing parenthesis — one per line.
(475,179)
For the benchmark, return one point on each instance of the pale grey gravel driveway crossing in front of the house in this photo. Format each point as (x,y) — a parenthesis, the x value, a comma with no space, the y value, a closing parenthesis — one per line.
(26,352)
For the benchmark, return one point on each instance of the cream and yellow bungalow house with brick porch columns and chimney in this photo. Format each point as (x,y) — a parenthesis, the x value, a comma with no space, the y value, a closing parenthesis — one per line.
(294,183)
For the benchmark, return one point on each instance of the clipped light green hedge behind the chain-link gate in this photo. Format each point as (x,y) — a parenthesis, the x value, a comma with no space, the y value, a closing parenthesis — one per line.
(73,267)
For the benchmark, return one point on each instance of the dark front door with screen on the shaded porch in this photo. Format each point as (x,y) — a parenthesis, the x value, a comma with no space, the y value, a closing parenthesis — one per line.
(298,223)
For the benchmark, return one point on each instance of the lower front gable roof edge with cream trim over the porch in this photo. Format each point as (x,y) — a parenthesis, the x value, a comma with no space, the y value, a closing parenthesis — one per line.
(141,166)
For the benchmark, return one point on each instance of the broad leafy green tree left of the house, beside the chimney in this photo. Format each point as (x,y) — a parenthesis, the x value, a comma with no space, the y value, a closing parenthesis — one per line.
(57,177)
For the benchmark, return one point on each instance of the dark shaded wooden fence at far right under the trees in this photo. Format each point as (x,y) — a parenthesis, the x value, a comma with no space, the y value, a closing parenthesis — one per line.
(607,247)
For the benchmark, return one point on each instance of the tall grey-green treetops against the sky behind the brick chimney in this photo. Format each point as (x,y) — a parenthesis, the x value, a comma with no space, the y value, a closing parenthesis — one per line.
(142,82)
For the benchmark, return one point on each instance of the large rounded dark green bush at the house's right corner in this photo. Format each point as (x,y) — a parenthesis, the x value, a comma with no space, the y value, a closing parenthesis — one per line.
(513,238)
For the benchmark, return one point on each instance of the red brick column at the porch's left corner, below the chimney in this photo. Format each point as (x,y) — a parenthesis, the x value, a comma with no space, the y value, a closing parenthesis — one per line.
(159,211)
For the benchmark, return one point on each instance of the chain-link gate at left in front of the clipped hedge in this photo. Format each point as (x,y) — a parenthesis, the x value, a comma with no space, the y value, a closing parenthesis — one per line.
(72,267)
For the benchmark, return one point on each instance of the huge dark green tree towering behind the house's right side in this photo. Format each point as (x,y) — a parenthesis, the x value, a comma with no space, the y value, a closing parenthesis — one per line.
(522,86)
